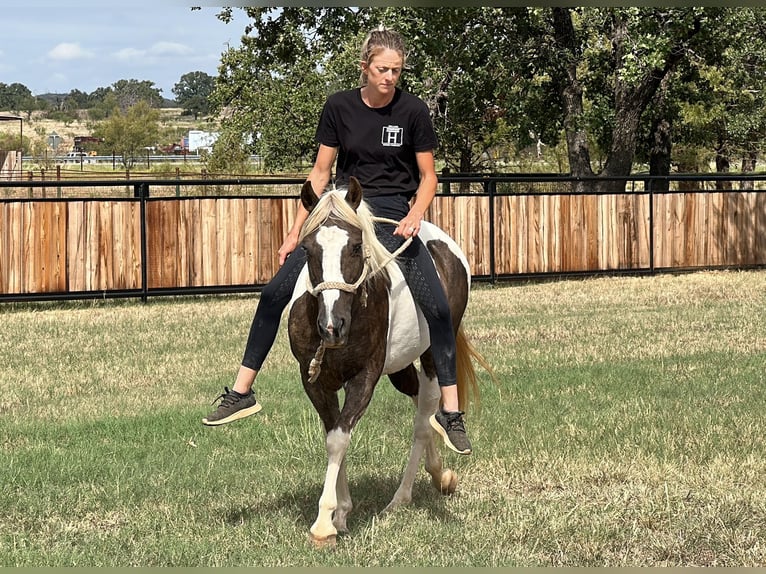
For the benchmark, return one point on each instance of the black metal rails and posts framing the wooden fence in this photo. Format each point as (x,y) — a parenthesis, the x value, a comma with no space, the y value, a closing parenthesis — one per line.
(490,186)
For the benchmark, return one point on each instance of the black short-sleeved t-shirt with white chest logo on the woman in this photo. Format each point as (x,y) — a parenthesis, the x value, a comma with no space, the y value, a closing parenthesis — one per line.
(377,145)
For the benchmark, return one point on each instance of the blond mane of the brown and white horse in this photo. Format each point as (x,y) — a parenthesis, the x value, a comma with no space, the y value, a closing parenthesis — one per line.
(333,203)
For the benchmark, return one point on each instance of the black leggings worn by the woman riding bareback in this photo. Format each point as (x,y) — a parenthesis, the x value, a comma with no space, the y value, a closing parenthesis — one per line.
(421,277)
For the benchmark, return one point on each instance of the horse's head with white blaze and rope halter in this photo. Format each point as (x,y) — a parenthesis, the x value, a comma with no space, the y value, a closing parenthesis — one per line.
(337,260)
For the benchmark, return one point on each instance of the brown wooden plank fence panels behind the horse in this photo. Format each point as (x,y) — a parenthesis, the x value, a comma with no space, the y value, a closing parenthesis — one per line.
(142,246)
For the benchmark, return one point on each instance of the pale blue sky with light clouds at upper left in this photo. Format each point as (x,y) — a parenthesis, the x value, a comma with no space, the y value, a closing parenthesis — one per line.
(64,45)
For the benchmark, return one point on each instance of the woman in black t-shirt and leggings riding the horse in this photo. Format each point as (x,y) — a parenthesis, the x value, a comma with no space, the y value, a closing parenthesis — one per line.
(384,137)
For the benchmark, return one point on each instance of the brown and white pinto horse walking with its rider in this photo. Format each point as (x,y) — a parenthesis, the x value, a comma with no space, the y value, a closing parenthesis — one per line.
(351,320)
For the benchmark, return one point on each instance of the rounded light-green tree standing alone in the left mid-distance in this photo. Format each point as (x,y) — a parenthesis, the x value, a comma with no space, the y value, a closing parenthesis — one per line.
(129,133)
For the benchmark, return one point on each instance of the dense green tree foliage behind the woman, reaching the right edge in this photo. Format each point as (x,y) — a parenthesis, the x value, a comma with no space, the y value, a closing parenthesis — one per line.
(498,79)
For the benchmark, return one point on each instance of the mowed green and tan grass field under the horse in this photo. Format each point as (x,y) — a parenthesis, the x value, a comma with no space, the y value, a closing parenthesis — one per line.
(626,430)
